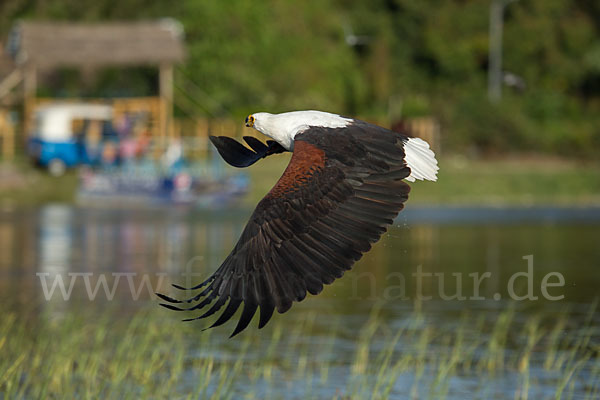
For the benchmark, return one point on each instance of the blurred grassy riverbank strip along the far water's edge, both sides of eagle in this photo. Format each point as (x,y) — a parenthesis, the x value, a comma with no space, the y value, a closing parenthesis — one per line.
(522,181)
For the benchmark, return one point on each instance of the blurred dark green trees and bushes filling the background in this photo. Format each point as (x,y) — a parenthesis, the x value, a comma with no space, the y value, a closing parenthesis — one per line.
(413,58)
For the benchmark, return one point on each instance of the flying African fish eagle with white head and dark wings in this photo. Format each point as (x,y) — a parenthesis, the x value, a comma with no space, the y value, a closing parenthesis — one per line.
(341,190)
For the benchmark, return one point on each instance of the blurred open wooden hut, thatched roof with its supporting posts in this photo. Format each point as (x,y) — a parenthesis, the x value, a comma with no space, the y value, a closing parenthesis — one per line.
(36,47)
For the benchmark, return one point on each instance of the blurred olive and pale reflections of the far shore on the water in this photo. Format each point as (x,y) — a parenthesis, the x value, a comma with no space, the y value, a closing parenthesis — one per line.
(444,268)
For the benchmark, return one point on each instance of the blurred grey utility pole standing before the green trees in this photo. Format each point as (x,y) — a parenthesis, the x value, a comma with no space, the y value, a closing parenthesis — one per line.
(495,52)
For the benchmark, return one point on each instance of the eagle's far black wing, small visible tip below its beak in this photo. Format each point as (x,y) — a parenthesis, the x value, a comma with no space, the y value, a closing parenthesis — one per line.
(238,155)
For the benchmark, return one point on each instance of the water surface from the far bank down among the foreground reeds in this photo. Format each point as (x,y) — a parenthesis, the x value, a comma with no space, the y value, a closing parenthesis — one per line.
(425,266)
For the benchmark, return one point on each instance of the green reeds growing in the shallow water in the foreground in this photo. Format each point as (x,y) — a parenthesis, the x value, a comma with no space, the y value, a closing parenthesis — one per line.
(144,356)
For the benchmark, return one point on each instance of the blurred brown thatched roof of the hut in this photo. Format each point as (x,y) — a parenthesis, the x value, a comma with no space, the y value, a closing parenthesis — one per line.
(60,44)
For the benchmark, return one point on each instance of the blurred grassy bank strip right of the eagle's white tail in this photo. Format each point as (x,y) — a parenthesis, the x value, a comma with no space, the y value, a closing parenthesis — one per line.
(519,181)
